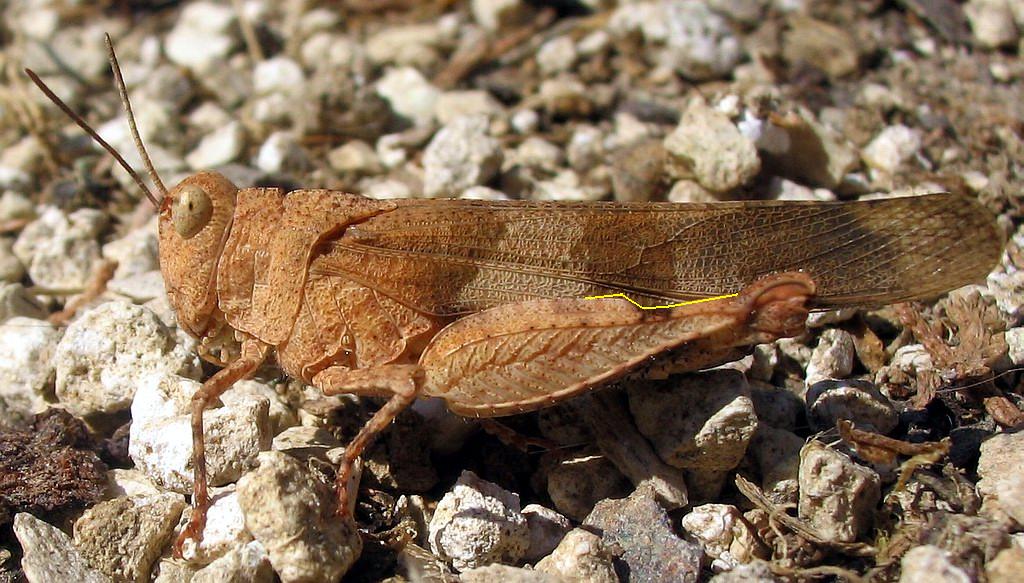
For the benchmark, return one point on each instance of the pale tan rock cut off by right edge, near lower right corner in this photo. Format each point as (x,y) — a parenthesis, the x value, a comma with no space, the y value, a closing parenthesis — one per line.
(1000,485)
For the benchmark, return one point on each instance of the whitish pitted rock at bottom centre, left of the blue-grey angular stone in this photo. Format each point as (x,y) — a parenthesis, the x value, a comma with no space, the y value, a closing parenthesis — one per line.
(479,523)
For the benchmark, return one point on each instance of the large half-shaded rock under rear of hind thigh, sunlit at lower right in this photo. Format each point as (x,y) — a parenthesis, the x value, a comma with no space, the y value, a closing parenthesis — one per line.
(718,425)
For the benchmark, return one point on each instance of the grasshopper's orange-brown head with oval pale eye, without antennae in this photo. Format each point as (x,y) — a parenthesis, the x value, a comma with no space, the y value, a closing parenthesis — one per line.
(195,221)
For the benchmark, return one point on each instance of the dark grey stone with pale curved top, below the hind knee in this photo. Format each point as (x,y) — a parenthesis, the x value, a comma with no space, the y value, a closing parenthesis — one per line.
(858,401)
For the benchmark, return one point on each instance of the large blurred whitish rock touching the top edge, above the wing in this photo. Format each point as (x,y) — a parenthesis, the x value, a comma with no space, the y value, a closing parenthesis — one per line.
(689,36)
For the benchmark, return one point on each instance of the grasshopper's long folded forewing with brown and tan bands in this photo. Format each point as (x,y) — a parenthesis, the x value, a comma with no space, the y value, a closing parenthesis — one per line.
(449,258)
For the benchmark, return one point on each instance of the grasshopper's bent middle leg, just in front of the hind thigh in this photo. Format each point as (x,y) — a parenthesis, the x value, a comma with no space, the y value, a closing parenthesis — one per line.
(402,383)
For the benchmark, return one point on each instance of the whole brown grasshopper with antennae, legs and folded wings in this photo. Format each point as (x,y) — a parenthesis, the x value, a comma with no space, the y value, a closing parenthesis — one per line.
(482,304)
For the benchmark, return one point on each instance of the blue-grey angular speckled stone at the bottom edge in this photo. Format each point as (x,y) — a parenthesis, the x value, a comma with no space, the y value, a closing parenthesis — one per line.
(642,529)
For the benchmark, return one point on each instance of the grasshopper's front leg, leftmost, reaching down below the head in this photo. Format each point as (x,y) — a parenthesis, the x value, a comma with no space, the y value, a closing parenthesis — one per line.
(252,356)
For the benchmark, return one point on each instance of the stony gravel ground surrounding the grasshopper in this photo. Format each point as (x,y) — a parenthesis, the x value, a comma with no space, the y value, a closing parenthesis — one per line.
(757,475)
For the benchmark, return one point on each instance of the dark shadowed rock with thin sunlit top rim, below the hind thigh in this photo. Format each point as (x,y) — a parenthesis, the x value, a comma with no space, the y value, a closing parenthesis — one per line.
(579,482)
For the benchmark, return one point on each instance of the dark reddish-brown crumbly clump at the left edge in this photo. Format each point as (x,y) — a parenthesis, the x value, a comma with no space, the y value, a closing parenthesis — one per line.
(51,468)
